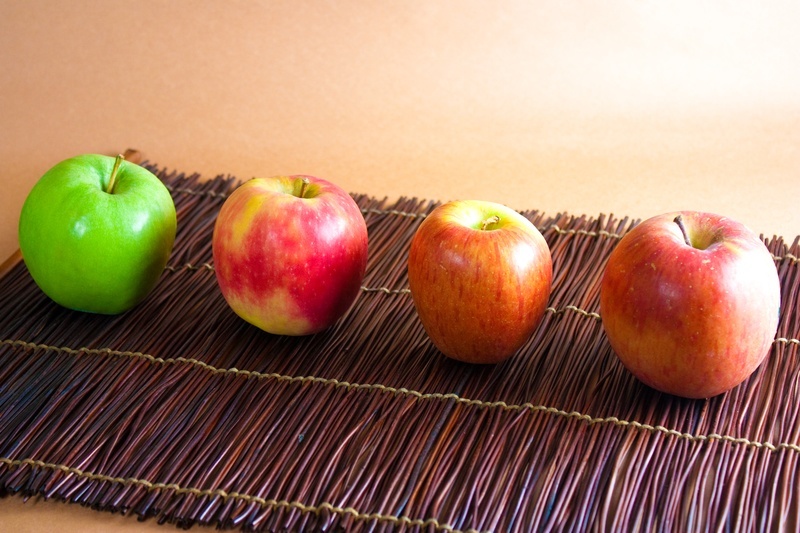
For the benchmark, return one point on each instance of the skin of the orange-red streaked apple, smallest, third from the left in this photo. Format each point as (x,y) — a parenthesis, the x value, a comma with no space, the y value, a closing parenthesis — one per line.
(479,293)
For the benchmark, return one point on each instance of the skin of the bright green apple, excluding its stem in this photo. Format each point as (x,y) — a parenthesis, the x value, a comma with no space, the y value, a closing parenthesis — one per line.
(91,250)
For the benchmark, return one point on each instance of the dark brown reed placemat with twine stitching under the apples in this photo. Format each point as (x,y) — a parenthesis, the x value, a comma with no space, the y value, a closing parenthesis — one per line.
(180,410)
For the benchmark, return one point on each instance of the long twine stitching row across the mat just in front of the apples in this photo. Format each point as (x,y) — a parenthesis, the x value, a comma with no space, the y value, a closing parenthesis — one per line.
(591,420)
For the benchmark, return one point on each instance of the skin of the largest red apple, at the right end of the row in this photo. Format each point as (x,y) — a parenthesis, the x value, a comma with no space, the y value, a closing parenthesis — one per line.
(692,321)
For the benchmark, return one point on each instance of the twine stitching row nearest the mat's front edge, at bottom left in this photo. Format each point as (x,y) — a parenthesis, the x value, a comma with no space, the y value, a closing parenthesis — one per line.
(263,502)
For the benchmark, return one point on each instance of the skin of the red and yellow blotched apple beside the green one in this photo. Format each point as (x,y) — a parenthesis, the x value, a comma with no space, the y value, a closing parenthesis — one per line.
(287,264)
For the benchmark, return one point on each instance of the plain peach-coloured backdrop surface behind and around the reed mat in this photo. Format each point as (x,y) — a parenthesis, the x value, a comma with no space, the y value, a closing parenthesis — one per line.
(631,108)
